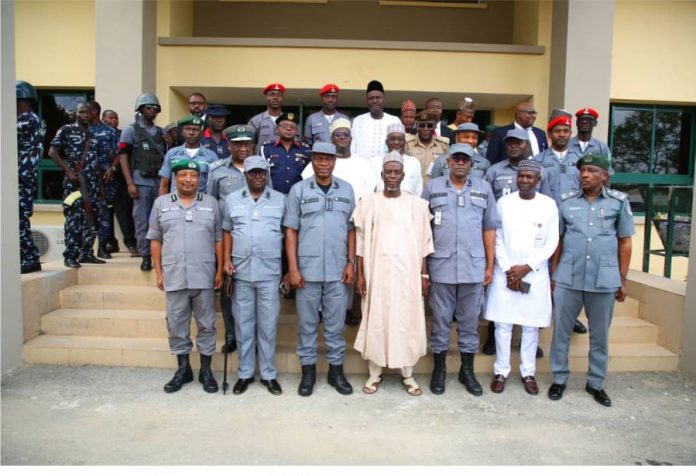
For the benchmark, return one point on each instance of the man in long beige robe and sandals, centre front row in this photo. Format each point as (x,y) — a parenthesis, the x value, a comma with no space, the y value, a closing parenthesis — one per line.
(393,239)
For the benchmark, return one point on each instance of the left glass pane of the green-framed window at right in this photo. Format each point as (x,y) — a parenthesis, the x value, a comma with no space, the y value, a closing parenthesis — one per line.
(632,136)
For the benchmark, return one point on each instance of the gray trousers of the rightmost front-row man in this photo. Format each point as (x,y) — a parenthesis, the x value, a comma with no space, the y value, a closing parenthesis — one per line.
(599,308)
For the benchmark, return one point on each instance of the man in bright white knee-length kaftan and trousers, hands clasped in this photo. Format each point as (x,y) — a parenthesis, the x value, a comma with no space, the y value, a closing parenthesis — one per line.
(520,292)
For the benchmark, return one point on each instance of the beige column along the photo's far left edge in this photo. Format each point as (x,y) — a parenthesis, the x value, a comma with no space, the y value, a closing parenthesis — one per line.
(11,327)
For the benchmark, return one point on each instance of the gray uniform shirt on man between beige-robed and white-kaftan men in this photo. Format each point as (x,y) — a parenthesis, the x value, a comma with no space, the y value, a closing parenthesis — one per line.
(459,219)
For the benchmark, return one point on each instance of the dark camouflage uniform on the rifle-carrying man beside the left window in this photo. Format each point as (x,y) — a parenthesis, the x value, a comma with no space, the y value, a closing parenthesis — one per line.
(79,237)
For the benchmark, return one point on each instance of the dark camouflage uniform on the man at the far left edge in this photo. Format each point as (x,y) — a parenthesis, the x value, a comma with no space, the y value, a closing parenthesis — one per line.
(30,135)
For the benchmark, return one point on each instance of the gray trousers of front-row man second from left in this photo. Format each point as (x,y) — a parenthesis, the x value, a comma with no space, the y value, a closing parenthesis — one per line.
(256,306)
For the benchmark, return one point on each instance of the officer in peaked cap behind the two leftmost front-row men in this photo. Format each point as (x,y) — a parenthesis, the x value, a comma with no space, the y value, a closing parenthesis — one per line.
(227,176)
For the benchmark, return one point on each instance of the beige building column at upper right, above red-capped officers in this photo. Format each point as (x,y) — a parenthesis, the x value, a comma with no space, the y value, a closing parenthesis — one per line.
(581,48)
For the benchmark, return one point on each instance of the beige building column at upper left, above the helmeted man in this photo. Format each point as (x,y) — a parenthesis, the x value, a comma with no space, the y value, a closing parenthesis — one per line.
(125,44)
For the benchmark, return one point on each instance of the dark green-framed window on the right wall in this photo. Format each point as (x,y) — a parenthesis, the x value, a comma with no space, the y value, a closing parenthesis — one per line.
(652,148)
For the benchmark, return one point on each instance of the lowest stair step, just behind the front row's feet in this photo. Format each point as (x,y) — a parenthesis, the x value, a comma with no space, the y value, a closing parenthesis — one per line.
(154,352)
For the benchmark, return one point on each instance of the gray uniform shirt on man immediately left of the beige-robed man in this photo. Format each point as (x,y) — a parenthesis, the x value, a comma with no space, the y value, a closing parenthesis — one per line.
(322,221)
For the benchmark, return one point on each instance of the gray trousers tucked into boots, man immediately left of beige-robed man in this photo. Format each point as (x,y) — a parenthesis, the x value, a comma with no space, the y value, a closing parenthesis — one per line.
(331,297)
